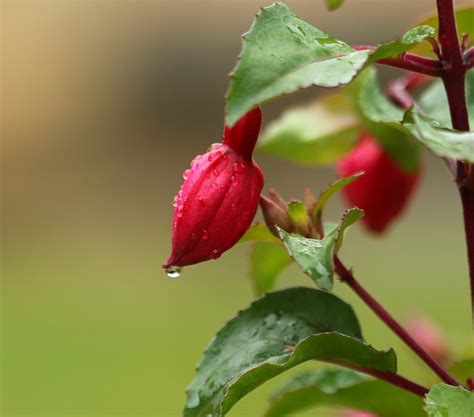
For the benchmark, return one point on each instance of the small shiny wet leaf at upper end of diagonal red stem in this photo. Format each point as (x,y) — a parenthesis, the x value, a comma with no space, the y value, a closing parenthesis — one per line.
(314,256)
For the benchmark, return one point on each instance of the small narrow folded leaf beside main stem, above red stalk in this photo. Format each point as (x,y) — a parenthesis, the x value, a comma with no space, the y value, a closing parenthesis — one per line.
(408,41)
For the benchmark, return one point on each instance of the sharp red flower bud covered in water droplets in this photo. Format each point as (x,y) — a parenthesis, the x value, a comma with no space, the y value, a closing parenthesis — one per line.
(219,197)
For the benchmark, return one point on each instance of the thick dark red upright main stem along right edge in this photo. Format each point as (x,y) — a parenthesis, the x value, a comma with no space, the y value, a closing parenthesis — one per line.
(455,66)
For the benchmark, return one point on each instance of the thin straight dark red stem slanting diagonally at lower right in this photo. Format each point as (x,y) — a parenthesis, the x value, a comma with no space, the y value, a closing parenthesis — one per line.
(347,277)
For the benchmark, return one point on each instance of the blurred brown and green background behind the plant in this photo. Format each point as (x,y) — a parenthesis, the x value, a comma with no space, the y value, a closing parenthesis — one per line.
(104,103)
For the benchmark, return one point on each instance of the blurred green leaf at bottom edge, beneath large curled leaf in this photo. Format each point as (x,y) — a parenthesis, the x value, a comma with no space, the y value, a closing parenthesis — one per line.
(346,388)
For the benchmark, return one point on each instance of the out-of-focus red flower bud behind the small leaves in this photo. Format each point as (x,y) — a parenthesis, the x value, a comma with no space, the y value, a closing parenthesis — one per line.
(383,191)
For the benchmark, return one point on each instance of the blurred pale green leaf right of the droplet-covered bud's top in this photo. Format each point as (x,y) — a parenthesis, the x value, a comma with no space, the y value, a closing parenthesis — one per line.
(320,133)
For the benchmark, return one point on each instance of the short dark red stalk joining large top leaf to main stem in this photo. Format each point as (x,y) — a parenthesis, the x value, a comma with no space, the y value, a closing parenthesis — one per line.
(408,62)
